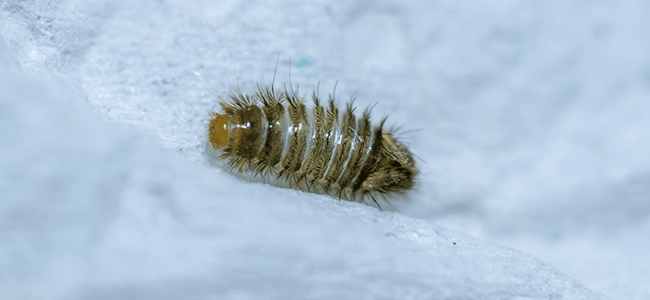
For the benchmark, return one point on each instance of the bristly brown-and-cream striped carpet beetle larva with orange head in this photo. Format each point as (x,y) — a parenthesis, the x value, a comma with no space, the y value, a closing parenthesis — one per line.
(322,150)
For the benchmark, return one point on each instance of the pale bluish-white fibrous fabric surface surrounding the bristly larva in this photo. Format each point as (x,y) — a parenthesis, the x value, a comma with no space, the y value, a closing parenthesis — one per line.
(530,119)
